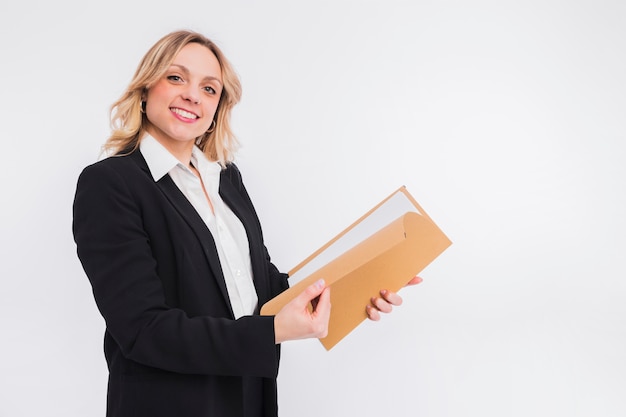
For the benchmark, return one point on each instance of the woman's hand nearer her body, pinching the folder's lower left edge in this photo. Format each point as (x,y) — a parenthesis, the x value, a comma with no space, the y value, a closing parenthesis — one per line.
(296,320)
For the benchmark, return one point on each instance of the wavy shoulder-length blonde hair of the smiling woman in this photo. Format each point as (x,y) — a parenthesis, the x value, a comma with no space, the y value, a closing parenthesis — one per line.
(127,119)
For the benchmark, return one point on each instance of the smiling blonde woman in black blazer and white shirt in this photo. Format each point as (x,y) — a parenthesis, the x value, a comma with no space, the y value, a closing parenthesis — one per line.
(174,251)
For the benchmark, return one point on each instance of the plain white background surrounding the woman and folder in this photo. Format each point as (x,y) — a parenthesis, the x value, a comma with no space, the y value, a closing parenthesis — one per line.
(505,119)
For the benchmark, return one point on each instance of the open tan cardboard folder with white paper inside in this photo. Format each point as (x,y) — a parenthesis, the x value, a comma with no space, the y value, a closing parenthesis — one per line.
(383,249)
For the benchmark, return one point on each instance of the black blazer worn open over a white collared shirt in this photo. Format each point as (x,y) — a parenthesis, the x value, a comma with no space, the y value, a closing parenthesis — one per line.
(172,344)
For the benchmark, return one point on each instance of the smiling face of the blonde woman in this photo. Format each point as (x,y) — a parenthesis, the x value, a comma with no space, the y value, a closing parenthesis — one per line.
(181,105)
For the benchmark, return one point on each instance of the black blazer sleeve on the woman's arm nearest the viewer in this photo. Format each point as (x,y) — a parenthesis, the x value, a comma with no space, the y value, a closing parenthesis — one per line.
(115,252)
